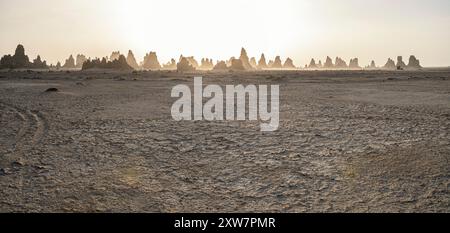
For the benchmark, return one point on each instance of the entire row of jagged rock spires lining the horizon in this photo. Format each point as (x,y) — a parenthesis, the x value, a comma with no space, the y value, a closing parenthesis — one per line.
(150,62)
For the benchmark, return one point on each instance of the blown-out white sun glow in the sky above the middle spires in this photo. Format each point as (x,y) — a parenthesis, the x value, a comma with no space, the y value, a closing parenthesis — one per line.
(214,29)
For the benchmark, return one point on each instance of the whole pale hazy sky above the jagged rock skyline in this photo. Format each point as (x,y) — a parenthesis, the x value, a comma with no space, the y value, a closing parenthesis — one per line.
(300,29)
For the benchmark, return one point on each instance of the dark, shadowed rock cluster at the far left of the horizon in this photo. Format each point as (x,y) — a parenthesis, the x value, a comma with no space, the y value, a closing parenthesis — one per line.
(20,60)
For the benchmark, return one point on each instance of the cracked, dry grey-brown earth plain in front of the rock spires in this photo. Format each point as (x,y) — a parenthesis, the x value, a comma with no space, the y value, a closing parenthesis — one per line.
(349,141)
